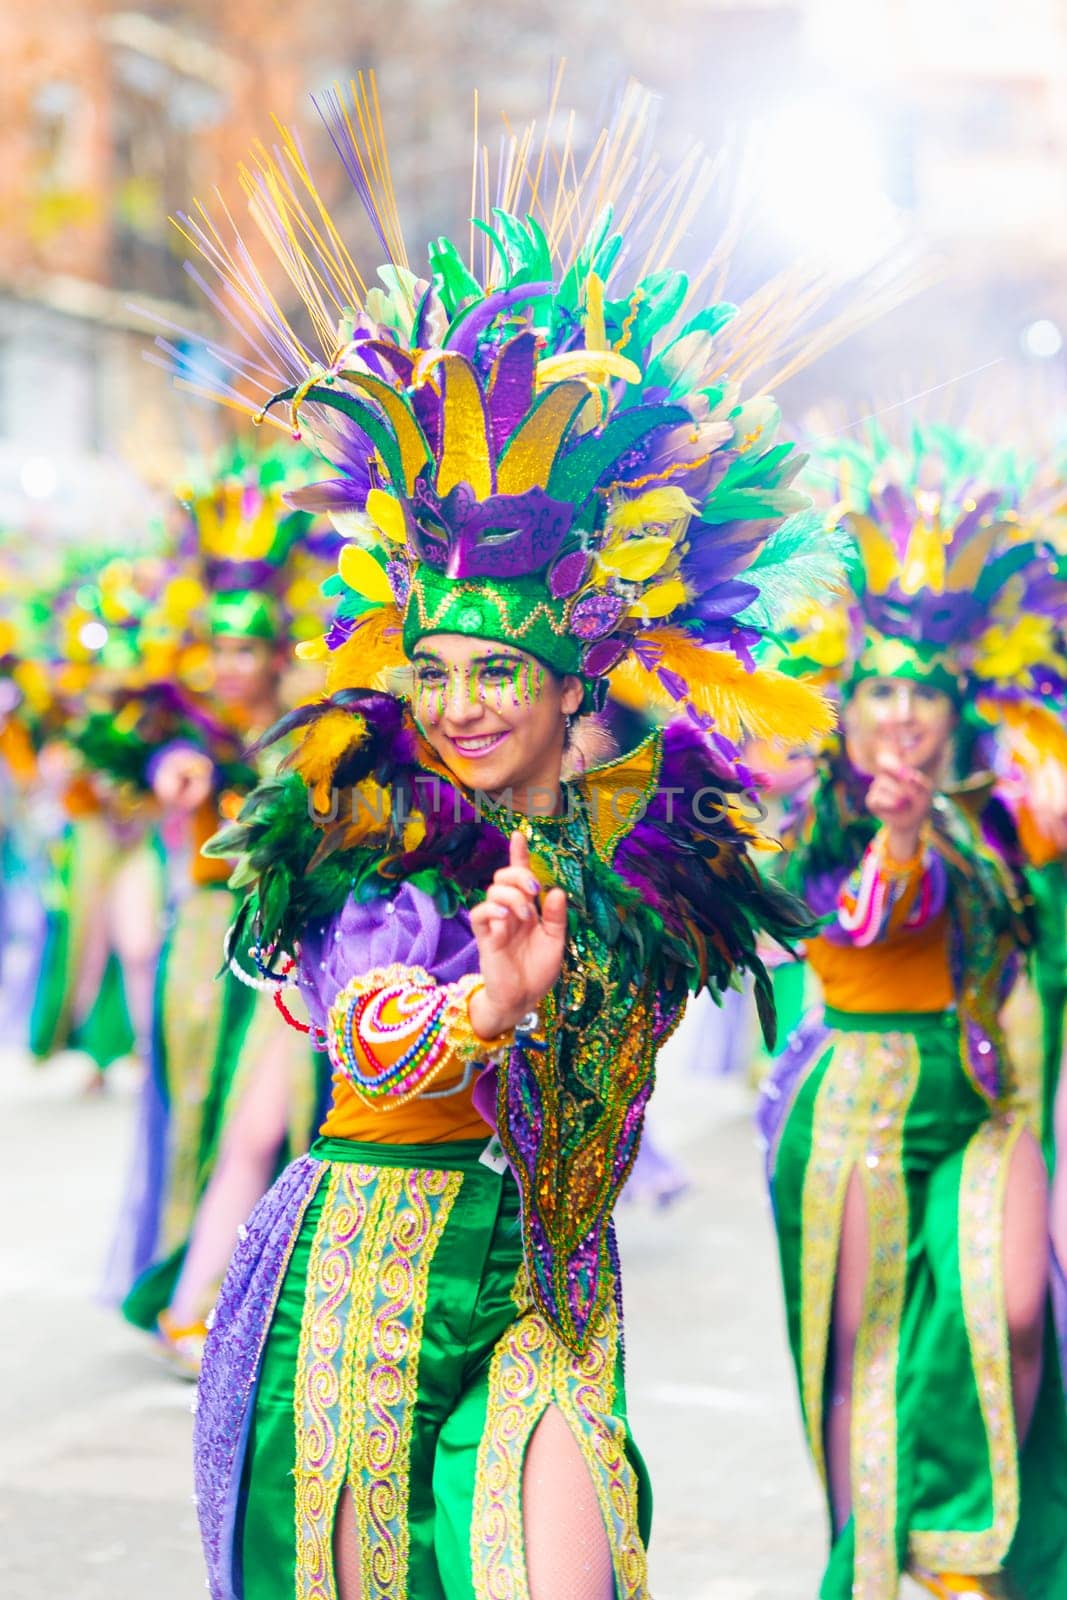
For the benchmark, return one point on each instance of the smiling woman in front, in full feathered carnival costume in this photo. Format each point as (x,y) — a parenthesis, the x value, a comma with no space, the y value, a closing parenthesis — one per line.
(414,1385)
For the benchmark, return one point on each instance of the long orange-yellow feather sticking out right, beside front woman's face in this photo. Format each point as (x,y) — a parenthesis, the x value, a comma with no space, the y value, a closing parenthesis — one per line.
(762,705)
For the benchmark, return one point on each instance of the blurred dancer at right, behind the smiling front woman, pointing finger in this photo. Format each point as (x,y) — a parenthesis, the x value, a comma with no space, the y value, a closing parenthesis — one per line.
(909,1186)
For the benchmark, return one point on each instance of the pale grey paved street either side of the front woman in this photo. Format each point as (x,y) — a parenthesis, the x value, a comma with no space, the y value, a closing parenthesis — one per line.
(95,1492)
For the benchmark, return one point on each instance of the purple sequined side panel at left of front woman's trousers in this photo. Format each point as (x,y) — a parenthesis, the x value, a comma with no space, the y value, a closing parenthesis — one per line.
(231,1364)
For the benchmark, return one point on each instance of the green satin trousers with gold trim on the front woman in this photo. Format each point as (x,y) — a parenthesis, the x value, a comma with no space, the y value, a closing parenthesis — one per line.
(407,1366)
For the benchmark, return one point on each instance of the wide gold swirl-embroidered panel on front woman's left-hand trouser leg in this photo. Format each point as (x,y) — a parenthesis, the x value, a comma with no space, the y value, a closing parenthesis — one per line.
(359,1367)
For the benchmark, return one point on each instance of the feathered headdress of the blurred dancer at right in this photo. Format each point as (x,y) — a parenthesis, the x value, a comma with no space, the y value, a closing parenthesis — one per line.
(953,580)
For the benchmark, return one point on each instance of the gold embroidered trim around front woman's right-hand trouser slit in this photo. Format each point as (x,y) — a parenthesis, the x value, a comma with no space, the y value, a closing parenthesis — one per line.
(532,1370)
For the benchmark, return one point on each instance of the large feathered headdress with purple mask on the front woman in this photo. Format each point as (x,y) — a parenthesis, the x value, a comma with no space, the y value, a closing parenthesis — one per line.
(541,447)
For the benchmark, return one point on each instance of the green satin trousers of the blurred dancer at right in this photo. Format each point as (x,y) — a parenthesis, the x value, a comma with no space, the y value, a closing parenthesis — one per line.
(937,1474)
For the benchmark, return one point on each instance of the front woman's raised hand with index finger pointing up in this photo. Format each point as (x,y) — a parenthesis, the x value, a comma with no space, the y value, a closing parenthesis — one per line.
(521,945)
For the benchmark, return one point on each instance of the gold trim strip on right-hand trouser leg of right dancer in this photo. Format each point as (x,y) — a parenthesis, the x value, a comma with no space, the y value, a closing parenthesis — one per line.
(983,1183)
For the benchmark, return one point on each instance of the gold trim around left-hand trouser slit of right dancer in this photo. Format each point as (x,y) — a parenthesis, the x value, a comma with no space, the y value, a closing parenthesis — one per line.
(858,1126)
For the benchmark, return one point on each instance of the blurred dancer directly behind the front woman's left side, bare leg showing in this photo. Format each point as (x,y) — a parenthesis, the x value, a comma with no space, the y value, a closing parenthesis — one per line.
(234,1094)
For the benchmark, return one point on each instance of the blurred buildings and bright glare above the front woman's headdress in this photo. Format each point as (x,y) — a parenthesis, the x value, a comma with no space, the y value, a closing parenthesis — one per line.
(951,114)
